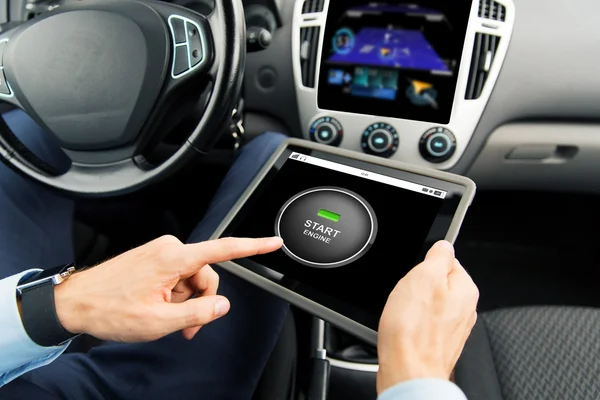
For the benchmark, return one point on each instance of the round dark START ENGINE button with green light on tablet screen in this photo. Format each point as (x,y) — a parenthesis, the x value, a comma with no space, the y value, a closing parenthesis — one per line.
(326,227)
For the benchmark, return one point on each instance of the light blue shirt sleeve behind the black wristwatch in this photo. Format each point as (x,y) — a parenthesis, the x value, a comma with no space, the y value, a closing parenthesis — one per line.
(18,353)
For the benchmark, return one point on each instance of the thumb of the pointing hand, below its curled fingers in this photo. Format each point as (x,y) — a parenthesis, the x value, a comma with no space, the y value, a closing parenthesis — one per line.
(196,312)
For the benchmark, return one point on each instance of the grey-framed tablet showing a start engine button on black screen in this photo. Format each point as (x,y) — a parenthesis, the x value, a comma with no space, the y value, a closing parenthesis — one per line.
(353,225)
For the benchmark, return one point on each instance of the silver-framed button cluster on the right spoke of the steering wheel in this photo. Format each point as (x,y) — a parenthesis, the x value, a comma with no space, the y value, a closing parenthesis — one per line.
(189,45)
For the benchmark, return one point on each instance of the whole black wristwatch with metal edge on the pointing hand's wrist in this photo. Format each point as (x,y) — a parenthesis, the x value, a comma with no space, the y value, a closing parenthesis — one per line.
(38,310)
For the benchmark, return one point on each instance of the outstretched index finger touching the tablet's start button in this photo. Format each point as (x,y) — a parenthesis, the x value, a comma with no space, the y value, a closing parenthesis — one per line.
(227,249)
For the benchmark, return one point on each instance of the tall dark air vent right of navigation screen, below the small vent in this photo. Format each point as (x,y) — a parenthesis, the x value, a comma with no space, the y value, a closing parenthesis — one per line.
(484,52)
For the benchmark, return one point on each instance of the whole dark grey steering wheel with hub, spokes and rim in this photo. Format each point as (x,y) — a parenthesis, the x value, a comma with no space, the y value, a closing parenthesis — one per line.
(103,76)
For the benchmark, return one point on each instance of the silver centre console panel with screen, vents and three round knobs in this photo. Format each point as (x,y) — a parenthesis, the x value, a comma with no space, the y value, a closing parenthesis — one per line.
(406,81)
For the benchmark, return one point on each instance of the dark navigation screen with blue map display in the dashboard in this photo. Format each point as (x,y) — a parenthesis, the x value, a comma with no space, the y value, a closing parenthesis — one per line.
(396,60)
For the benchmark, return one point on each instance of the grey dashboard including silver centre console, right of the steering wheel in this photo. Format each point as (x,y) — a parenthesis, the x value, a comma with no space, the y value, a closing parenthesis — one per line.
(520,114)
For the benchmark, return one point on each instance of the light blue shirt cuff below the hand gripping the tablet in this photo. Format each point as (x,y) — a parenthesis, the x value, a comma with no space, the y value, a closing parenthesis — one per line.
(424,389)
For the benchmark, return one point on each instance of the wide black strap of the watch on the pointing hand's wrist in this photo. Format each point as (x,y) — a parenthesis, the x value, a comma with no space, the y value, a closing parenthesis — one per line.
(38,313)
